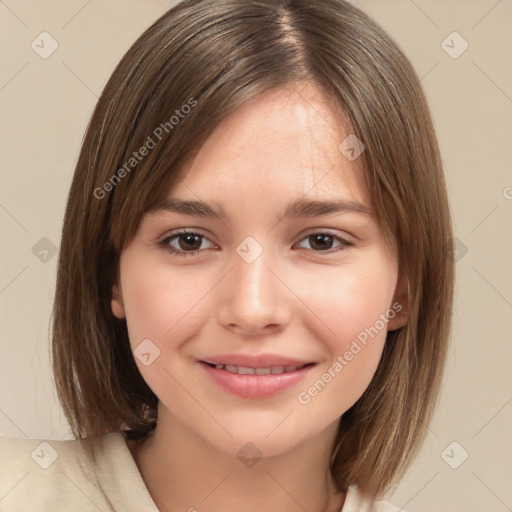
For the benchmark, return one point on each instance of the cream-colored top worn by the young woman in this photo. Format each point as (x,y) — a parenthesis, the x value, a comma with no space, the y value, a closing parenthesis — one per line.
(97,474)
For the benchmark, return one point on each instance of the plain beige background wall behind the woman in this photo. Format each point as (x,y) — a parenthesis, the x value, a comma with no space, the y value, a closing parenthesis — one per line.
(45,105)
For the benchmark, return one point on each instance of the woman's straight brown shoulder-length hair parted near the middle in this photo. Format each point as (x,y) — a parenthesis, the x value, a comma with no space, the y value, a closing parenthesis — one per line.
(213,56)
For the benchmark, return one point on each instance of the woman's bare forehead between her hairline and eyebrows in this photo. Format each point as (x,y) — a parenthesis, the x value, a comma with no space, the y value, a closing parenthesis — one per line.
(283,144)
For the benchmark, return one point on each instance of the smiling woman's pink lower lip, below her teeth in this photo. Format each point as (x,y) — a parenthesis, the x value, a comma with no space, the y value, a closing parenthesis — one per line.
(255,386)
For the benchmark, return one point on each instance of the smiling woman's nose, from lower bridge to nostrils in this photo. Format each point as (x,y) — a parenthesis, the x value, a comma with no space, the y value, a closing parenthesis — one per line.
(254,299)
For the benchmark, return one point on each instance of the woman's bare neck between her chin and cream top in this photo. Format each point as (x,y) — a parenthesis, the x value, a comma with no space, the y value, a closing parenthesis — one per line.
(182,471)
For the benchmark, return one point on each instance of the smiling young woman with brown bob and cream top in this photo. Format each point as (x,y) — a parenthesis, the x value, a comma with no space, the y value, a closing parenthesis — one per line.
(256,272)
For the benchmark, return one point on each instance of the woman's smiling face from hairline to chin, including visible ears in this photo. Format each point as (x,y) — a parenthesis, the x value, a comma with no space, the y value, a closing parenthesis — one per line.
(263,323)
